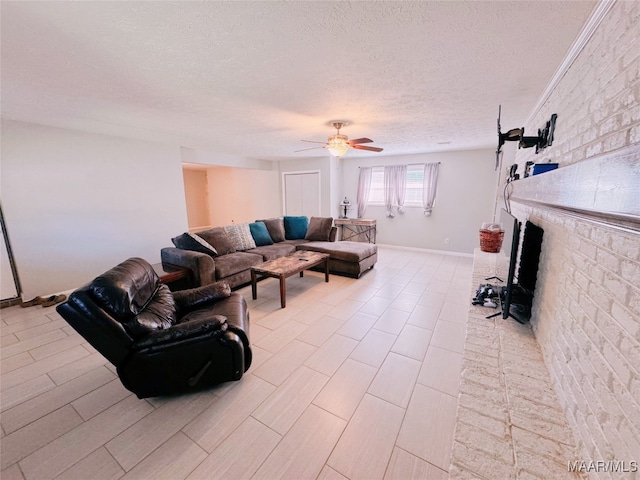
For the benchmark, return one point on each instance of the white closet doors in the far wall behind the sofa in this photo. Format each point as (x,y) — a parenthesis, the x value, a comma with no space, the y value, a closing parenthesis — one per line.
(302,193)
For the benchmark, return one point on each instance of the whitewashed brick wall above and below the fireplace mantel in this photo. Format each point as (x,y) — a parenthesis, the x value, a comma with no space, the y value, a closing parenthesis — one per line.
(586,314)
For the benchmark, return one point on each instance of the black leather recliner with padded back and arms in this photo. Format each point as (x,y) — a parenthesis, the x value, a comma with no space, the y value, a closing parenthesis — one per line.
(162,342)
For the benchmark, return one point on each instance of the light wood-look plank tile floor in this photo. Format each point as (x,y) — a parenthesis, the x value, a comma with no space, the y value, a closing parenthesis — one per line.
(355,379)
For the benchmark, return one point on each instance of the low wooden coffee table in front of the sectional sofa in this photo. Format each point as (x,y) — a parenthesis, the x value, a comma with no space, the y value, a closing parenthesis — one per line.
(284,267)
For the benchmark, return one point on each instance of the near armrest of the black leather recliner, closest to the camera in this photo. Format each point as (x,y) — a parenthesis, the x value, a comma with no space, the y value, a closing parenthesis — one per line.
(215,325)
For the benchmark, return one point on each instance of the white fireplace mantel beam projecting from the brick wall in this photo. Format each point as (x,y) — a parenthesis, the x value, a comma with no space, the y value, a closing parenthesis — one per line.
(603,189)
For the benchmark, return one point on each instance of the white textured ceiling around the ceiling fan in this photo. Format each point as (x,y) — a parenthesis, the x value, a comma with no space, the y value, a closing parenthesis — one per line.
(251,79)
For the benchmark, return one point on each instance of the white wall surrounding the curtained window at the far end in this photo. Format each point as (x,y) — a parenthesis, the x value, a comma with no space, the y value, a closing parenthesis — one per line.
(465,199)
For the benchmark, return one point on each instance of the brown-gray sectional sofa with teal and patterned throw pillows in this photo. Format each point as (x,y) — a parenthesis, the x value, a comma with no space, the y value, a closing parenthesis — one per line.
(228,253)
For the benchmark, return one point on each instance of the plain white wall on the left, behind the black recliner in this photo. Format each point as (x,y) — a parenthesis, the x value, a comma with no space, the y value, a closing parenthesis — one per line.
(77,204)
